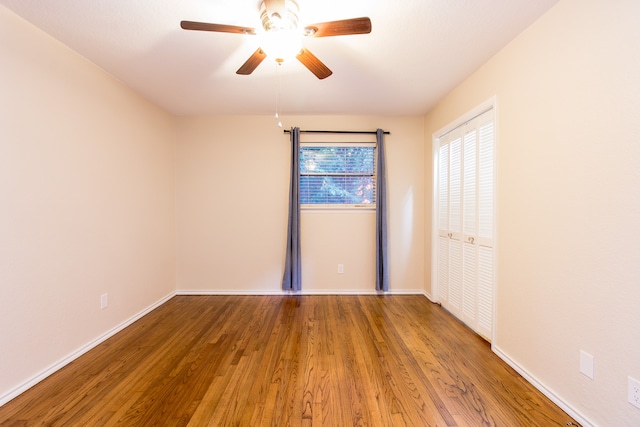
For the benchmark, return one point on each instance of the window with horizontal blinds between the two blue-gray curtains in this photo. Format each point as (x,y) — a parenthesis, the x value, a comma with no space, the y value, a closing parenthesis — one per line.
(337,175)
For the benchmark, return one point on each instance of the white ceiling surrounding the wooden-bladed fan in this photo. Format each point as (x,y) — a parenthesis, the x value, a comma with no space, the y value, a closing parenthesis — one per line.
(417,52)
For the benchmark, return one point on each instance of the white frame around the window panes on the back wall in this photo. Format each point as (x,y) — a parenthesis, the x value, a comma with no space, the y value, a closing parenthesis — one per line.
(342,206)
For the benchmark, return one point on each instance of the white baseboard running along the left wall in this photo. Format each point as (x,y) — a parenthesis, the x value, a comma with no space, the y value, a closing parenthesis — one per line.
(13,393)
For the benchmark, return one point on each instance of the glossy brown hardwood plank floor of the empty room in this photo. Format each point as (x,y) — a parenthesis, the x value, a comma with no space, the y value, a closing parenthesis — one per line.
(288,361)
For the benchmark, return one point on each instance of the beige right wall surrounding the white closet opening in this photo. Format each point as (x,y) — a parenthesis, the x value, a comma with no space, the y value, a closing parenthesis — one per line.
(568,267)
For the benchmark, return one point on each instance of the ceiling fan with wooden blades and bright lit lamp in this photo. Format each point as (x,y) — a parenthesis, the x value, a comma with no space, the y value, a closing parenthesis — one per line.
(280,23)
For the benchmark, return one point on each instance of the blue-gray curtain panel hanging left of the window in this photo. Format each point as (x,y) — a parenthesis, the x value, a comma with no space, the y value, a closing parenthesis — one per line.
(292,265)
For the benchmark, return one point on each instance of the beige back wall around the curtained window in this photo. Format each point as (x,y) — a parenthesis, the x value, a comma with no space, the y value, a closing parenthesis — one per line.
(232,184)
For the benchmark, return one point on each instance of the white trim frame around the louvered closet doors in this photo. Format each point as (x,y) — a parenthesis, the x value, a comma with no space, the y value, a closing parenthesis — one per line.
(435,233)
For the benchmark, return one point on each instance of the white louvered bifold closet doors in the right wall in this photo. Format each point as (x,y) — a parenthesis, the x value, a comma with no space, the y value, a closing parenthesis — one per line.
(465,222)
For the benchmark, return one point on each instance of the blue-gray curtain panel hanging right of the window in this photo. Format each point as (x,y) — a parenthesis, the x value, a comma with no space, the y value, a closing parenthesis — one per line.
(382,270)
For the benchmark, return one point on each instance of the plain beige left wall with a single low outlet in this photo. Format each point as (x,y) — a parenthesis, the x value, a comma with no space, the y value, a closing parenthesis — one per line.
(86,202)
